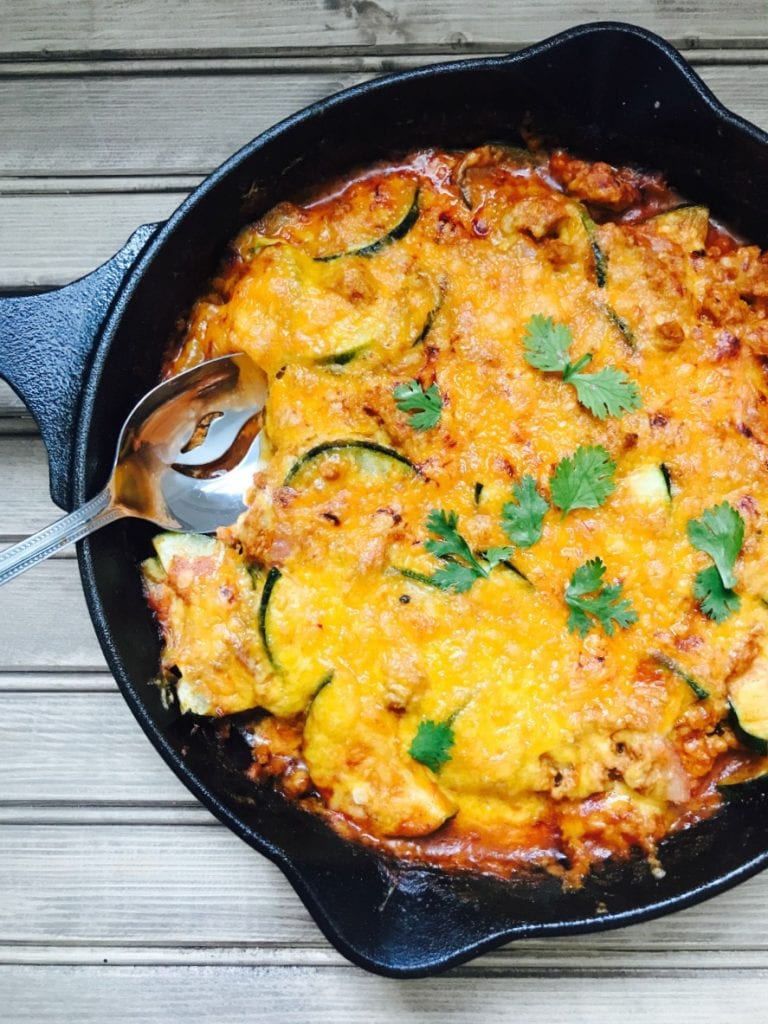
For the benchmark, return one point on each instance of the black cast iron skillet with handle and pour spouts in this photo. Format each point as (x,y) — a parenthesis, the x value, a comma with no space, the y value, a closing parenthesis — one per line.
(82,356)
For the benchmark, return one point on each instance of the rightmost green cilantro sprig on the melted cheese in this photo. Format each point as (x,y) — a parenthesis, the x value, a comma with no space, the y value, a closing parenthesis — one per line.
(719,533)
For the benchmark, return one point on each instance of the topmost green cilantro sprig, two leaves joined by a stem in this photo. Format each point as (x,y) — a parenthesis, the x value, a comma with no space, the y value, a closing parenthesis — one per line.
(608,393)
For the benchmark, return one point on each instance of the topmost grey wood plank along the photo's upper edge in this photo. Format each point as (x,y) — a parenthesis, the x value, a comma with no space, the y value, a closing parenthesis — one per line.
(45,27)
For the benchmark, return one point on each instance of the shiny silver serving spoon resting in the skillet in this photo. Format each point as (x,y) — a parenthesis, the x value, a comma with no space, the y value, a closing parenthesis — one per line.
(186,458)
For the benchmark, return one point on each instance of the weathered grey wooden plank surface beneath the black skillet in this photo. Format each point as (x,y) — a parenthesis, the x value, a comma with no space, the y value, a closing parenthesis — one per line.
(121,900)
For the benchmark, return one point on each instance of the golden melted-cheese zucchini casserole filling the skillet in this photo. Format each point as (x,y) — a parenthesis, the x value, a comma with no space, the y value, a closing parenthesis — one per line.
(317,607)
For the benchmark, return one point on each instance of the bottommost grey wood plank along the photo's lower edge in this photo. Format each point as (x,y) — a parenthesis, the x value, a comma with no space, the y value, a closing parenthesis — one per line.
(333,996)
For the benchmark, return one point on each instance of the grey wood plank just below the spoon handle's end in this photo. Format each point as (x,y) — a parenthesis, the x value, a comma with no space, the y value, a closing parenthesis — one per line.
(45,623)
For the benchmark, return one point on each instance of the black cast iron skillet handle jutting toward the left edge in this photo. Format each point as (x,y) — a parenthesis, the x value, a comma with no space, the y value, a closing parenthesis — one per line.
(47,344)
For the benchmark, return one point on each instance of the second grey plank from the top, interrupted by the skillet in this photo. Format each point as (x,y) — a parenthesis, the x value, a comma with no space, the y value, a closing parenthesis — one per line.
(188,124)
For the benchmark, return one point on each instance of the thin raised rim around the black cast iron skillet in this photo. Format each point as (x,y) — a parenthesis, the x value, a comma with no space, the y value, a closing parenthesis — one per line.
(133,693)
